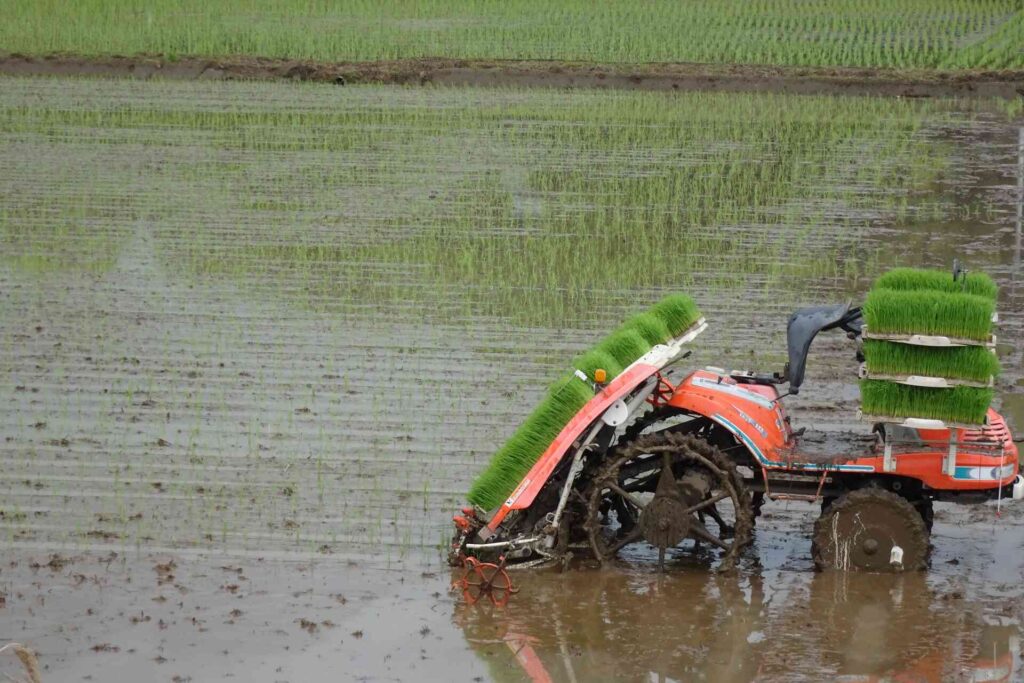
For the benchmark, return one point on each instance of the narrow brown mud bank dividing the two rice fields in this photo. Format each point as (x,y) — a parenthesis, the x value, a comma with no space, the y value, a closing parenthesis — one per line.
(684,77)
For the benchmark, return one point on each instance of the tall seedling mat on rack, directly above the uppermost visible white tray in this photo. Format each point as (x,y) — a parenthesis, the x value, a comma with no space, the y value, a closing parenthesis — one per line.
(929,313)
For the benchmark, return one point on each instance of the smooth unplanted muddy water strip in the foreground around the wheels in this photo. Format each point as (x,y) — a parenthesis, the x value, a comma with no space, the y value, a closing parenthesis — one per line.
(209,617)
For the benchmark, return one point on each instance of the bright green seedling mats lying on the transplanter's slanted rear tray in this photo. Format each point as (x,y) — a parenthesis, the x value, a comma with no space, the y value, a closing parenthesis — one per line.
(669,318)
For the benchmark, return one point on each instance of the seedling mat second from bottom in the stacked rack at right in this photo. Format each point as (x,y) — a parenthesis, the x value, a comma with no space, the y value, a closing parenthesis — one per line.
(975,364)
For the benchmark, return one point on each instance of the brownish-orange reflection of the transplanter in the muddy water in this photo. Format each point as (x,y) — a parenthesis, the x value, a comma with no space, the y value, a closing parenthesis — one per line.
(621,626)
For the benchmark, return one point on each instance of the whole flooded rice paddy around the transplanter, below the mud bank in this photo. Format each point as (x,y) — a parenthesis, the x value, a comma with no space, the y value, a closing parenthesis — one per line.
(258,340)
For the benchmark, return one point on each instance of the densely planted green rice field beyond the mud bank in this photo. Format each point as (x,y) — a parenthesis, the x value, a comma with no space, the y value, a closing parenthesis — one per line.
(951,34)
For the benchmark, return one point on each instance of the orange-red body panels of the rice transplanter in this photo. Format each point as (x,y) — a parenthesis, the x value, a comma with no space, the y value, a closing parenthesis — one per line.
(986,458)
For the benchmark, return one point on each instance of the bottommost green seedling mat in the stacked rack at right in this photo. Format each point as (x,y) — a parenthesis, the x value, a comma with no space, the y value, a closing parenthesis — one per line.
(964,405)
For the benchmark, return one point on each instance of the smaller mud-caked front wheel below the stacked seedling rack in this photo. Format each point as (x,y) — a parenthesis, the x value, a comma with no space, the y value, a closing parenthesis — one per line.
(860,531)
